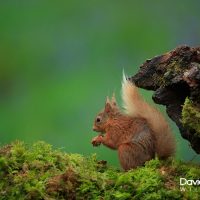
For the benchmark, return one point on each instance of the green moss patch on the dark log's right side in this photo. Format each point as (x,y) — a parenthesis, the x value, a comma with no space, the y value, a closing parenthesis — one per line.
(191,116)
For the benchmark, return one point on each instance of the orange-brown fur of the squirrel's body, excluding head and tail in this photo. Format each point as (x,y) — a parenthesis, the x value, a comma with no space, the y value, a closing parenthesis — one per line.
(122,133)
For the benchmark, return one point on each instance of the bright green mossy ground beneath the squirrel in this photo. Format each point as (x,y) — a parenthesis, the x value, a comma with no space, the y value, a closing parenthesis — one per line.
(39,172)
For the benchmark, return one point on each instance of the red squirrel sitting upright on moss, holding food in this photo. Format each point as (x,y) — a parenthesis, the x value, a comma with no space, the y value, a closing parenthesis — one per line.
(138,134)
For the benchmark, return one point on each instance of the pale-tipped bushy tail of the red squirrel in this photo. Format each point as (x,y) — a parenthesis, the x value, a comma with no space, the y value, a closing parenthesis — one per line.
(135,106)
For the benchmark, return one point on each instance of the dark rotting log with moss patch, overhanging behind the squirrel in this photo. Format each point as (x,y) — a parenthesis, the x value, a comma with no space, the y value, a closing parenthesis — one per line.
(175,78)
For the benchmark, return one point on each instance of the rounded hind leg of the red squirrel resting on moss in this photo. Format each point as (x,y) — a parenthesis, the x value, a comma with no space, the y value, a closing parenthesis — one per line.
(132,155)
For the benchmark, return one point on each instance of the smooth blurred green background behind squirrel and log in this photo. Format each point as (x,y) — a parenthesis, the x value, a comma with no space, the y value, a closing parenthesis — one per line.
(60,59)
